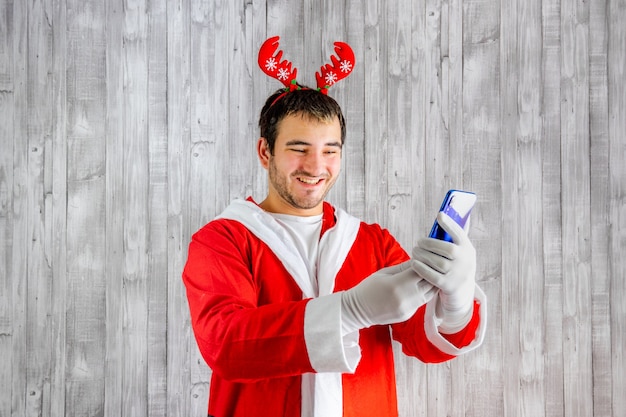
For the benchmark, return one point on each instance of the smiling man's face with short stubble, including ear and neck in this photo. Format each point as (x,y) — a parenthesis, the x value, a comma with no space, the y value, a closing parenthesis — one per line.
(304,166)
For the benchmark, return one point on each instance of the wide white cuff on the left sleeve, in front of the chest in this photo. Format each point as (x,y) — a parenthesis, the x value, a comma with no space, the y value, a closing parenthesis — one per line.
(328,350)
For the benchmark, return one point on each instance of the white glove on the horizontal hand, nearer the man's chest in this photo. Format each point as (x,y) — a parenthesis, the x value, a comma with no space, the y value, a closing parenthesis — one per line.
(390,295)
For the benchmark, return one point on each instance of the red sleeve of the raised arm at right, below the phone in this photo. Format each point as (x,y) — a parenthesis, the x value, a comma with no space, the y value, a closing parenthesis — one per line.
(412,335)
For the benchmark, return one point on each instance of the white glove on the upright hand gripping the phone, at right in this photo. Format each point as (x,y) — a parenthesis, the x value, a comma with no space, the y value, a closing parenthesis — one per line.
(451,267)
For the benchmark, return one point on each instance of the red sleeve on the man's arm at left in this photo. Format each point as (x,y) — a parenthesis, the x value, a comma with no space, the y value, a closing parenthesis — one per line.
(244,332)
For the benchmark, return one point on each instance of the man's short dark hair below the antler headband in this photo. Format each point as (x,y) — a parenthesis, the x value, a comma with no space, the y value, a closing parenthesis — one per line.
(305,101)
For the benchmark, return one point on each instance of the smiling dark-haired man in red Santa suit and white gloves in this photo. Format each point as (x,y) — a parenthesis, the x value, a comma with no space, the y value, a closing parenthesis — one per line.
(292,300)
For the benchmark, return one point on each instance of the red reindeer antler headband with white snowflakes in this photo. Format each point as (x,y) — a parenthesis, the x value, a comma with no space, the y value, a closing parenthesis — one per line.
(283,71)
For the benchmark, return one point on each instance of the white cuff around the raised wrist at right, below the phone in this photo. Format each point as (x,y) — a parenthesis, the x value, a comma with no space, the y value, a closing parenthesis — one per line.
(431,323)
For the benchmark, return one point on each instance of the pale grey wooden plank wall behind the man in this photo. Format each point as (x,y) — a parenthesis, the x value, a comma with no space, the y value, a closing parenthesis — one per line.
(125,125)
